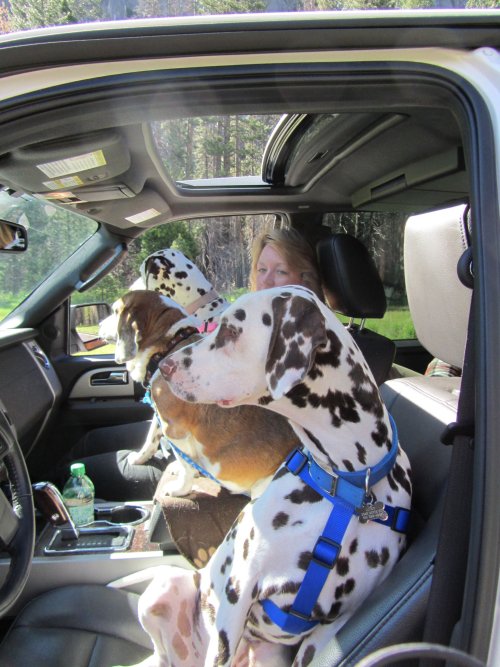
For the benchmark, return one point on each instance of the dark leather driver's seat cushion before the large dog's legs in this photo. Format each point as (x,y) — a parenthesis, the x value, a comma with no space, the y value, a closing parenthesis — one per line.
(77,626)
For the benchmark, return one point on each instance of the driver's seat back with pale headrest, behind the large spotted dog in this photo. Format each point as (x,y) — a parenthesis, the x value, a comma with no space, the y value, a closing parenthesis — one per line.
(421,407)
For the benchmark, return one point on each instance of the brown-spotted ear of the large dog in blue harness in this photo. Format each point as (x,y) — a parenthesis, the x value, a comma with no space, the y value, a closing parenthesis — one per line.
(298,330)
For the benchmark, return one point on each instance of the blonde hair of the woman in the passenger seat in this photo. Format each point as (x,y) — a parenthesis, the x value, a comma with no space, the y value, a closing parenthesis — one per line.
(297,253)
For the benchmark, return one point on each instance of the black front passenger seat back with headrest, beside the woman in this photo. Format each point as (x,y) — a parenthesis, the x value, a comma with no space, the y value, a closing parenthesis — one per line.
(353,288)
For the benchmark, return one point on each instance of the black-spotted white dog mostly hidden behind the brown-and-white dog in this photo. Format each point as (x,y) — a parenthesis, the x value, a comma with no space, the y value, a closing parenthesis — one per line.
(171,273)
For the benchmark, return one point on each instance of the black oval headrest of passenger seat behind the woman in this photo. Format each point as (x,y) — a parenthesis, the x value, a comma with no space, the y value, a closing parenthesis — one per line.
(349,273)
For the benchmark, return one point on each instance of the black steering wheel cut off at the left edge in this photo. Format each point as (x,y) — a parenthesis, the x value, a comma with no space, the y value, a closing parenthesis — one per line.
(17,517)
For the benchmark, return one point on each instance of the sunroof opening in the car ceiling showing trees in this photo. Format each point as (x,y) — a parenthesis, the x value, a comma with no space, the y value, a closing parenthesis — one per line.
(199,149)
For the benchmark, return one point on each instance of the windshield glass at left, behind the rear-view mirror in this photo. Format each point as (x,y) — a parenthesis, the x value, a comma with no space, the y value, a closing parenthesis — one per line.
(54,233)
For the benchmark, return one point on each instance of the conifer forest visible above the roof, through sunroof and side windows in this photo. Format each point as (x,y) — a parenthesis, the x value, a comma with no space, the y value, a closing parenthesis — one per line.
(206,147)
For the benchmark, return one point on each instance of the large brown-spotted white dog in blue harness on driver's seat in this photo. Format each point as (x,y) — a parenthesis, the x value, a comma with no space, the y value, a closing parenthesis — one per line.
(279,587)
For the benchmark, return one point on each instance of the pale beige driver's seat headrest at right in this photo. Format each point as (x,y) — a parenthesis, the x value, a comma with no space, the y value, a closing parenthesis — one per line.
(439,303)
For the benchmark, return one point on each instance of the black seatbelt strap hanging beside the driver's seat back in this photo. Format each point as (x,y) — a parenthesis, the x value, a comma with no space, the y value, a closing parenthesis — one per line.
(447,589)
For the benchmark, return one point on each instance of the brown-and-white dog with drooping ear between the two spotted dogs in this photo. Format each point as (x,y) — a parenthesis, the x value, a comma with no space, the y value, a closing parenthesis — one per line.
(241,448)
